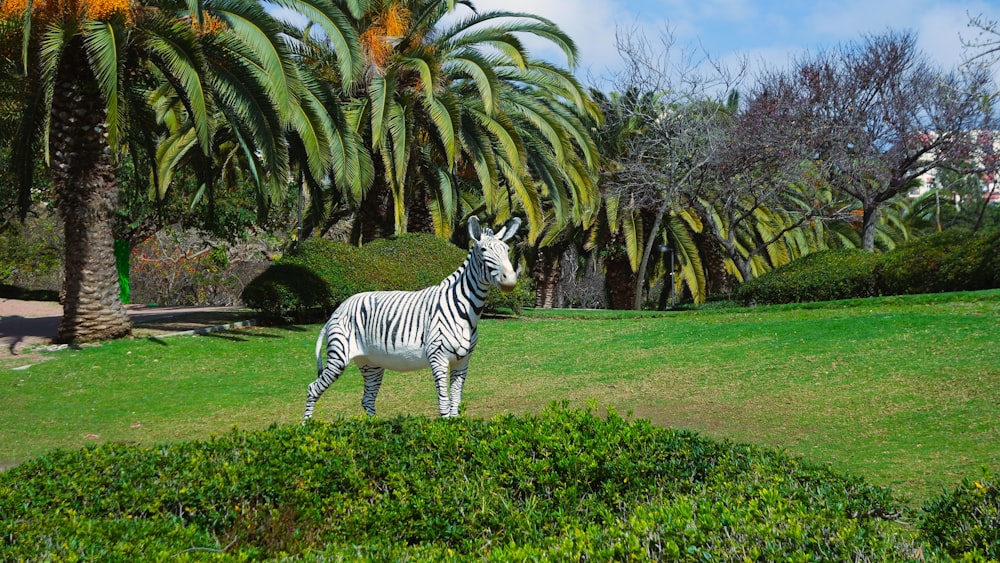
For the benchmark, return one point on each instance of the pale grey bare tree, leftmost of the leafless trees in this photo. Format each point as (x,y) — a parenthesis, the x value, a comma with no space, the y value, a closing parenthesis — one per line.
(661,131)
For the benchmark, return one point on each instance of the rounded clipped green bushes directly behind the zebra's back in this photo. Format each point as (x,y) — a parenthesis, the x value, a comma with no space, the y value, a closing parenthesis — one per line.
(314,278)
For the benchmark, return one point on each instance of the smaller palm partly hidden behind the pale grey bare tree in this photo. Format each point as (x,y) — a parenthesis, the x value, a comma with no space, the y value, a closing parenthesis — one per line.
(653,147)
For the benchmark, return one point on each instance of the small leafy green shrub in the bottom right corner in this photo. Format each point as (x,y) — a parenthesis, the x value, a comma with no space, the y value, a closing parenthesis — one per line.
(966,521)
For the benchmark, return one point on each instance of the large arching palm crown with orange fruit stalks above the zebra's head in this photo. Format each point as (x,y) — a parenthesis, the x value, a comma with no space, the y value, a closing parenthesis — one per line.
(450,109)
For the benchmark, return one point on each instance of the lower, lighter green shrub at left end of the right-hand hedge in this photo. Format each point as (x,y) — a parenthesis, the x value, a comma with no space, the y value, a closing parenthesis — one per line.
(822,276)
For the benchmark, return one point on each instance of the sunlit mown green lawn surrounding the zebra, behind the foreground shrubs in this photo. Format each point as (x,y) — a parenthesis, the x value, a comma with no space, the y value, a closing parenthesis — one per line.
(904,391)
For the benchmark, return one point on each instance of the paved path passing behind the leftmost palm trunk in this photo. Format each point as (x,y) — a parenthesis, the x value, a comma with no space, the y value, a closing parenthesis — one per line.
(32,323)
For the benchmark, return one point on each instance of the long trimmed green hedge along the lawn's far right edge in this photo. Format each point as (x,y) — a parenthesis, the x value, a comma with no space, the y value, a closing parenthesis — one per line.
(952,260)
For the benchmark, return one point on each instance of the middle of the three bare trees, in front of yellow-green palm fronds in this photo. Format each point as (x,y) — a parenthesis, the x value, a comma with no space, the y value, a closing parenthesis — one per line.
(762,183)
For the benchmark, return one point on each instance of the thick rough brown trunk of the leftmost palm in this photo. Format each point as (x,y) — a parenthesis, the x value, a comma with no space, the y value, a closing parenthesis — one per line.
(83,173)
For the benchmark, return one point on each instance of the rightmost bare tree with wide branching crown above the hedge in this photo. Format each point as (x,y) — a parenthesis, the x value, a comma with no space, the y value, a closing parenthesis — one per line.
(877,115)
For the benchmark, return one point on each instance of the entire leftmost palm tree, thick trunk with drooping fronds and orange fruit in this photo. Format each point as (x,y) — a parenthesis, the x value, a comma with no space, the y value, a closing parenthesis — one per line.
(87,71)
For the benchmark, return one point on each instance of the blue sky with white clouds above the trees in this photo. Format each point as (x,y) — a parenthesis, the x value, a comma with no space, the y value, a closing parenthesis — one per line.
(764,32)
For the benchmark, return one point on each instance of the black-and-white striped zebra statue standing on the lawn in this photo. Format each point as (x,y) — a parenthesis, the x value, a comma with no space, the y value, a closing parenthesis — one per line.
(408,330)
